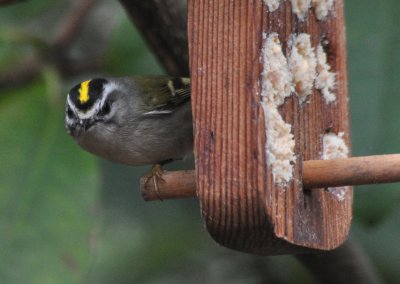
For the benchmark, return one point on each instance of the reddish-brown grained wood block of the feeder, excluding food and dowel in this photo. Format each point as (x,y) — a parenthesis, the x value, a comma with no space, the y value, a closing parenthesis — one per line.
(241,206)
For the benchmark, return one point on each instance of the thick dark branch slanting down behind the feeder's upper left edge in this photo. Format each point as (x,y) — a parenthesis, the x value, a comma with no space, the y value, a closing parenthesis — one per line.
(163,25)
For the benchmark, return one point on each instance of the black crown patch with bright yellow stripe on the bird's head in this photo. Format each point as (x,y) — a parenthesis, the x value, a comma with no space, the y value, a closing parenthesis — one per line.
(85,94)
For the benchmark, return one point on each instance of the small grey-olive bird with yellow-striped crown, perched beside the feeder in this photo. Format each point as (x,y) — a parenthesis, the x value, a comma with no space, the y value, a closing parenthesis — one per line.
(132,120)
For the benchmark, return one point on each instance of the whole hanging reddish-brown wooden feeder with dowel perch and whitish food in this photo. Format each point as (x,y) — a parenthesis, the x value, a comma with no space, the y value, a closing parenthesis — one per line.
(271,126)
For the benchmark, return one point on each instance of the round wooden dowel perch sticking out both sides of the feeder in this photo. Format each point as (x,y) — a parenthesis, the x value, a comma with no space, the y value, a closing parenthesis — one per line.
(316,174)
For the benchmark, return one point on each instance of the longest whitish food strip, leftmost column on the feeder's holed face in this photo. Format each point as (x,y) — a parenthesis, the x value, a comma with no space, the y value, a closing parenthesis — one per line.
(276,86)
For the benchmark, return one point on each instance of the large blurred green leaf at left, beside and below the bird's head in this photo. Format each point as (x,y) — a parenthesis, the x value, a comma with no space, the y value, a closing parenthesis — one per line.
(47,193)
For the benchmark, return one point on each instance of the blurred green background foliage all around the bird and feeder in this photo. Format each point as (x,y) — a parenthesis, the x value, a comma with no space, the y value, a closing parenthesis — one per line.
(69,217)
